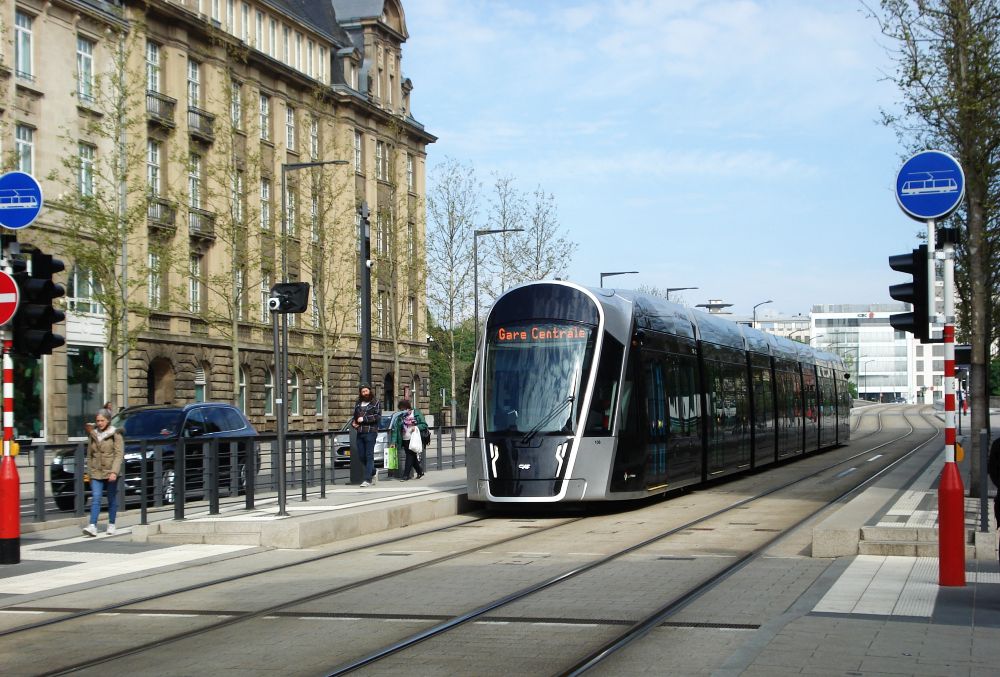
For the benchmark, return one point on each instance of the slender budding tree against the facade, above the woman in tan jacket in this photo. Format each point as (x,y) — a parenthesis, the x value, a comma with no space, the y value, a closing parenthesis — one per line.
(108,198)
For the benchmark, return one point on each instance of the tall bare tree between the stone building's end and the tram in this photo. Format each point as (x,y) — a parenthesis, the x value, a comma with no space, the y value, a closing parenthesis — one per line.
(452,209)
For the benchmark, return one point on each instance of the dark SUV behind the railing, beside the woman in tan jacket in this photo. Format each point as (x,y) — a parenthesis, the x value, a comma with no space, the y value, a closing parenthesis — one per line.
(159,427)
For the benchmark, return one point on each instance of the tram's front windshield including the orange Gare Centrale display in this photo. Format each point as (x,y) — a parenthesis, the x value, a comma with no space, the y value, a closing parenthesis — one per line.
(535,377)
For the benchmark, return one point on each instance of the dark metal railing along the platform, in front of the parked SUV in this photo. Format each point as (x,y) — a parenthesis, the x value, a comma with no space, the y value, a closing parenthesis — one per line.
(206,474)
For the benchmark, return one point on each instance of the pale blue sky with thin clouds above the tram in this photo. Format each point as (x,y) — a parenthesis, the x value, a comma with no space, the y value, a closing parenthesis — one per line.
(730,145)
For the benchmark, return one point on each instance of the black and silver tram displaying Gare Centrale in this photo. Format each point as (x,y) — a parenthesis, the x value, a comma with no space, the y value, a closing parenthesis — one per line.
(583,394)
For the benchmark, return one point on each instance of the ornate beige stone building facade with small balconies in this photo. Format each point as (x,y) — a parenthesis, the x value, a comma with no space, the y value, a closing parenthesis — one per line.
(193,153)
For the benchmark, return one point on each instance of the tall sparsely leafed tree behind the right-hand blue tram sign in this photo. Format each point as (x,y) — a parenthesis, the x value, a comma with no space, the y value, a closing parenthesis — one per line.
(947,54)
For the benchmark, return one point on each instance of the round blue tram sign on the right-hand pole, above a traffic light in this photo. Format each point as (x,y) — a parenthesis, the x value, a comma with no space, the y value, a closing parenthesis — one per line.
(930,185)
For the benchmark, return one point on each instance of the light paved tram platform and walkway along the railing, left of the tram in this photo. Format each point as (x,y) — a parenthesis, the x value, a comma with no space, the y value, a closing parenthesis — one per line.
(62,557)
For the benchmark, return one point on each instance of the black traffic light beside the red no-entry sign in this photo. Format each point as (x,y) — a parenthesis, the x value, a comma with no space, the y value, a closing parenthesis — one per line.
(35,315)
